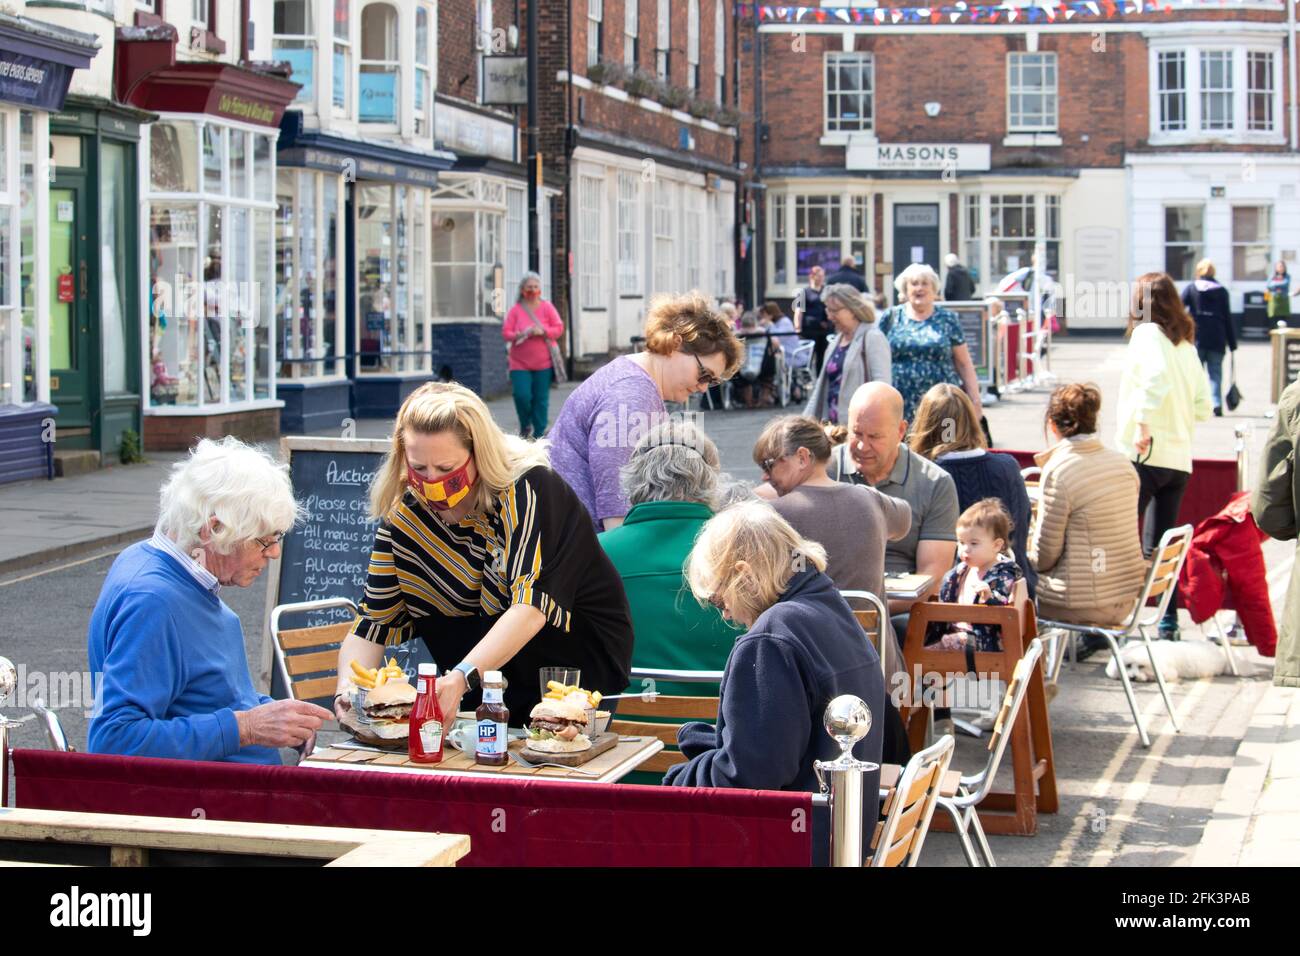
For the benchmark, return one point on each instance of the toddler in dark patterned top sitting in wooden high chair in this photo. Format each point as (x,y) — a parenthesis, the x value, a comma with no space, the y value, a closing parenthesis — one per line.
(985,574)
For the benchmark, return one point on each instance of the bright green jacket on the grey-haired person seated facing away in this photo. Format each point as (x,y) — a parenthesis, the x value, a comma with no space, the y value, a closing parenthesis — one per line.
(670,629)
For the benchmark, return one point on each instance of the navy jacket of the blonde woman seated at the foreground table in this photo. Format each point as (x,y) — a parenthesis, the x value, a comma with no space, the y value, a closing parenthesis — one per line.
(800,654)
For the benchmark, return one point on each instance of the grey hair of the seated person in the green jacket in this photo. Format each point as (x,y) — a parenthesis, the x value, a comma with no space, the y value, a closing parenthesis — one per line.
(675,461)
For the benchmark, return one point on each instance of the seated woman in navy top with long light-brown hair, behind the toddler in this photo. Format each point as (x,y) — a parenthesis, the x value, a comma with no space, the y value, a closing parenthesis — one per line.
(947,431)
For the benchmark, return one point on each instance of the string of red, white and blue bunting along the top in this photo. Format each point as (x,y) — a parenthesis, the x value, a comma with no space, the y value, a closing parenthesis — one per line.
(977,14)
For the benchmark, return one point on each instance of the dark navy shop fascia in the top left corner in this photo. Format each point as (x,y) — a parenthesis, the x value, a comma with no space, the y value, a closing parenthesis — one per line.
(37,62)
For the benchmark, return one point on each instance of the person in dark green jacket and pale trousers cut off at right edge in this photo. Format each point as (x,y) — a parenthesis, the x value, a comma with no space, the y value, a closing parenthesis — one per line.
(1275,505)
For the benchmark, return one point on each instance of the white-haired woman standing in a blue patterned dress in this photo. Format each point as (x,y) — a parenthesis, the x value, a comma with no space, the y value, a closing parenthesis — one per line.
(928,344)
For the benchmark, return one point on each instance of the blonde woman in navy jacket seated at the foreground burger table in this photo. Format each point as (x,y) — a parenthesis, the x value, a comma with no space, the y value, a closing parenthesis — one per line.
(801,650)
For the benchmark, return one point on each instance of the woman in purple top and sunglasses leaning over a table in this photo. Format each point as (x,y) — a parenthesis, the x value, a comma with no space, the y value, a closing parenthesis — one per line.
(688,348)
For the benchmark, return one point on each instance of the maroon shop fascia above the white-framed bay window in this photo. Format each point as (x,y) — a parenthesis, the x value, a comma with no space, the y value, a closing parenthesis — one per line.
(149,76)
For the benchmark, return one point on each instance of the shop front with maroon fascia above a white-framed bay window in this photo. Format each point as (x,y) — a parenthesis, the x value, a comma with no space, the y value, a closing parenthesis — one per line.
(209,259)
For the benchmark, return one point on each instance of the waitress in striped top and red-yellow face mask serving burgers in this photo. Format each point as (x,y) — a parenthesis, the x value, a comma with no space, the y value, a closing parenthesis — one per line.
(487,556)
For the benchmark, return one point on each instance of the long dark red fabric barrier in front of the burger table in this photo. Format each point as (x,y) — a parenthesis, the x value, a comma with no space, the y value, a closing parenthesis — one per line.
(510,823)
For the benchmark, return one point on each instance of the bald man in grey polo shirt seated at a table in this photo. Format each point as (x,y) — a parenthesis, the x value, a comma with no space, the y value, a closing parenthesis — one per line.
(876,456)
